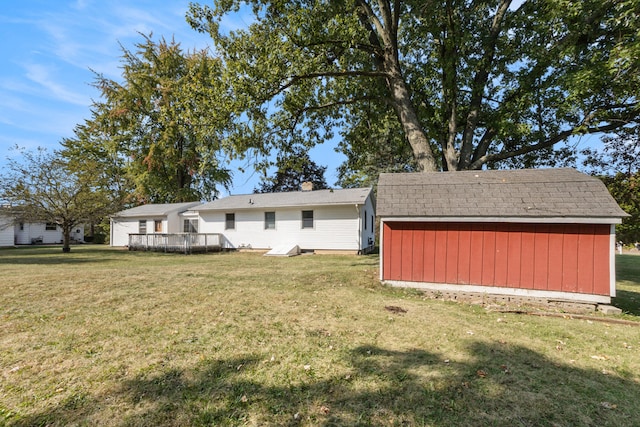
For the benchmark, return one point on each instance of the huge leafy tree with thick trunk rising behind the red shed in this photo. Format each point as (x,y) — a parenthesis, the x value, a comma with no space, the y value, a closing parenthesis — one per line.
(466,83)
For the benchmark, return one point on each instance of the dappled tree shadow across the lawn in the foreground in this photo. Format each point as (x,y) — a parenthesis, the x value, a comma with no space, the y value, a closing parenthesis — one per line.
(500,385)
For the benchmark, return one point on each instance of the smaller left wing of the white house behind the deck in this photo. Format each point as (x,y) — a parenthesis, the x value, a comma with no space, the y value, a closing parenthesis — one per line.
(148,219)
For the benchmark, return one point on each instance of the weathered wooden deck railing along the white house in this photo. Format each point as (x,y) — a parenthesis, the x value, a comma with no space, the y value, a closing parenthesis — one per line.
(187,243)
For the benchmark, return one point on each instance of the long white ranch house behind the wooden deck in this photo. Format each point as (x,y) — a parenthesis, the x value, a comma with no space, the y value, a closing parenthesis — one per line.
(332,221)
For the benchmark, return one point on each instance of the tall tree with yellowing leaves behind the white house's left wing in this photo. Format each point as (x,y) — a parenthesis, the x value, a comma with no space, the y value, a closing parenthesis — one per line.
(158,133)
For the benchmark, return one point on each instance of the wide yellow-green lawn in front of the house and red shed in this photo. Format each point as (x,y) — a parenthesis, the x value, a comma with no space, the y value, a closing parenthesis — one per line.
(113,338)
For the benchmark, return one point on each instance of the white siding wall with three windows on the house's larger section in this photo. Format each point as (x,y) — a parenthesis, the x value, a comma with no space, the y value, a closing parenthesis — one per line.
(334,228)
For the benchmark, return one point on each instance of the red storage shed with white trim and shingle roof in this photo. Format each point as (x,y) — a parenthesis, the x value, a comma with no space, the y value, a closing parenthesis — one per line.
(537,233)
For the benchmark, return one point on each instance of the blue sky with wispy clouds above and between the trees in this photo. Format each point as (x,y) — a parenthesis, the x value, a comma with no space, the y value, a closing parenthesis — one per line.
(47,53)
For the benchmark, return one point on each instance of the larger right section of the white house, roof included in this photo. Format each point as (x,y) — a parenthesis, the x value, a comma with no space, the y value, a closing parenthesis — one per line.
(320,220)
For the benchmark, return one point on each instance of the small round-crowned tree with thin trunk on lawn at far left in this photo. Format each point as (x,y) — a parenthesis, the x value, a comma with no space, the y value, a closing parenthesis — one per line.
(40,187)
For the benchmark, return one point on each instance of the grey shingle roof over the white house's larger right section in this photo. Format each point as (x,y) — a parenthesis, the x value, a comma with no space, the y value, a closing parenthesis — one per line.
(348,196)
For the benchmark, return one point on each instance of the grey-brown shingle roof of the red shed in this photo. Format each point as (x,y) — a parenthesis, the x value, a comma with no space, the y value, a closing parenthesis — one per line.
(523,193)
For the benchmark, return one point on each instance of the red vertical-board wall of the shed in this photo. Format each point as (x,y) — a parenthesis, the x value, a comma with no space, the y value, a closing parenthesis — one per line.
(551,257)
